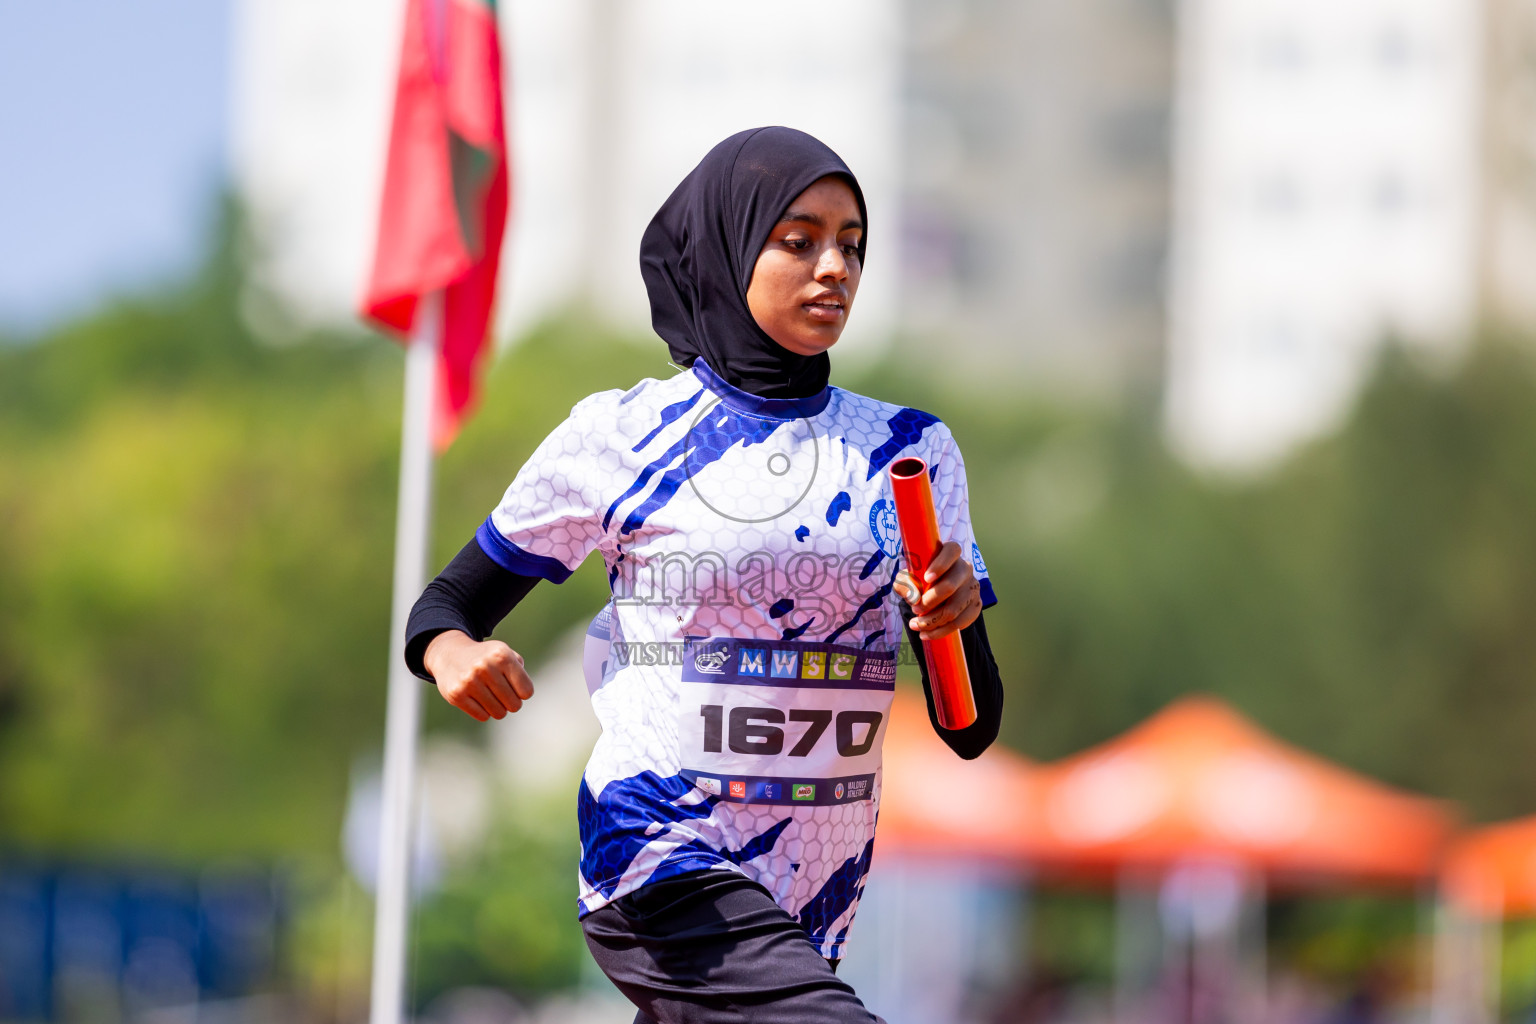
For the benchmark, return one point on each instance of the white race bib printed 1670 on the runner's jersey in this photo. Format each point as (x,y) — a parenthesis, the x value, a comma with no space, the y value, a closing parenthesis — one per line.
(784,722)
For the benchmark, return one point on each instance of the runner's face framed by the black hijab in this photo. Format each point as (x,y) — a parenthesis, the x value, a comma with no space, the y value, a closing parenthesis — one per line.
(807,274)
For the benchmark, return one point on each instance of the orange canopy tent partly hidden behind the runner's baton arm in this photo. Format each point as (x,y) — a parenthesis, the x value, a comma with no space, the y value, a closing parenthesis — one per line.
(933,802)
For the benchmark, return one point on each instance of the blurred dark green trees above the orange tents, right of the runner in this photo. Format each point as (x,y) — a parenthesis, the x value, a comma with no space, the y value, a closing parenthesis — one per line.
(1369,600)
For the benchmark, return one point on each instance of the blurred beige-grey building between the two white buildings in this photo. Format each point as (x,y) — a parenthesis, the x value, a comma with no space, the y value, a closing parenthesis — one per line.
(1036,188)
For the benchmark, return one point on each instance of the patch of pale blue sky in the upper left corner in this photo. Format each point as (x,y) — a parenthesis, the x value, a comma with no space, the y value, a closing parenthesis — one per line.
(113,148)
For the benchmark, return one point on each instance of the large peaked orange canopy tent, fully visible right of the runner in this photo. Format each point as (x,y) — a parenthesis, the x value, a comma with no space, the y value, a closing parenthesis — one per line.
(1199,781)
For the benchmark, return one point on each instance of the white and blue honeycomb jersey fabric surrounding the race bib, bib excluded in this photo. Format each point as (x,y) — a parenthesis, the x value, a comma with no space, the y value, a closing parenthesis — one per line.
(715,521)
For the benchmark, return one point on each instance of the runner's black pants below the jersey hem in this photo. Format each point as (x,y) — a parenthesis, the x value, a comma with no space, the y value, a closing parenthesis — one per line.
(713,948)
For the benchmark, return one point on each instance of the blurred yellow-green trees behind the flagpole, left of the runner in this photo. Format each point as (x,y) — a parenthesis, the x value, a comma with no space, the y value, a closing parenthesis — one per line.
(196,567)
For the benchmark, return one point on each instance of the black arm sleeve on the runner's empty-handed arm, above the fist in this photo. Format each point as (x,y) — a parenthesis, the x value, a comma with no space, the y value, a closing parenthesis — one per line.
(472,595)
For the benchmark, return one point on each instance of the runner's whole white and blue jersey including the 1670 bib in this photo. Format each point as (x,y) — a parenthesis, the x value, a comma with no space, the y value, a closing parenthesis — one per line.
(752,549)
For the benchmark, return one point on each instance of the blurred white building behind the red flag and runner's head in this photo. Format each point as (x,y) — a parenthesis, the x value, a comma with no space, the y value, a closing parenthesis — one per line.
(612,104)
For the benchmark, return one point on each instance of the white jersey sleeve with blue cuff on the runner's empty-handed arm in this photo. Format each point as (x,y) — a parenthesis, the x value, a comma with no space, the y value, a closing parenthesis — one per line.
(552,515)
